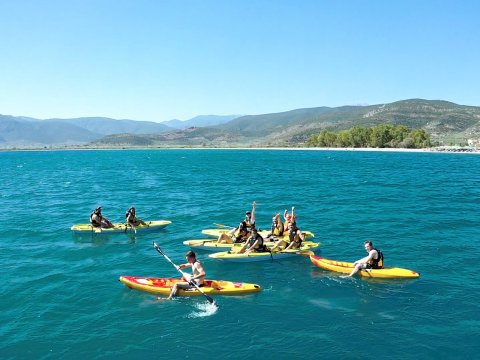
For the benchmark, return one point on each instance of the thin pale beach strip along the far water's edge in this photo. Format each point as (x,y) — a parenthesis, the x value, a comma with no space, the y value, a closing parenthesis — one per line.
(451,150)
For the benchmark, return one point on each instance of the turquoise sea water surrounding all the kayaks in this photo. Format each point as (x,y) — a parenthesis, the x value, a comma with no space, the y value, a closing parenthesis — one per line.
(61,298)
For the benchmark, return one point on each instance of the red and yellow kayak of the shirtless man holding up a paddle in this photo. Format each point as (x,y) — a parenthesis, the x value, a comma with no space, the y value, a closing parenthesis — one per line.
(163,286)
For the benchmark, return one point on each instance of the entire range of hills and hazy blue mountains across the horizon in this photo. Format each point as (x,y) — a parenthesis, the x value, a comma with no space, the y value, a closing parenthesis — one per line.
(441,119)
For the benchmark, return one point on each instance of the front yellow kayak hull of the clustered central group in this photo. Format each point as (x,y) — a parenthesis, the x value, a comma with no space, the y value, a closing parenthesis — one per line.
(262,256)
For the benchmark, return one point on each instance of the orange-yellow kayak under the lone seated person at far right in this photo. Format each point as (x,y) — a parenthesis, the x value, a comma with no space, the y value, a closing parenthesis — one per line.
(346,268)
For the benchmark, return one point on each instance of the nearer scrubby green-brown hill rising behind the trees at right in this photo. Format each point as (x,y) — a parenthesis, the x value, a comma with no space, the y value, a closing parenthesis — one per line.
(444,121)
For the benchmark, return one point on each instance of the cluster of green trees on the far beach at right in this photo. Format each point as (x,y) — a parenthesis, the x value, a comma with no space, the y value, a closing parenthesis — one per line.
(380,136)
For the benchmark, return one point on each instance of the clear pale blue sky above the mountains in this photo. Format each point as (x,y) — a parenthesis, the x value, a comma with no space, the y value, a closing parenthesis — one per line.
(158,60)
